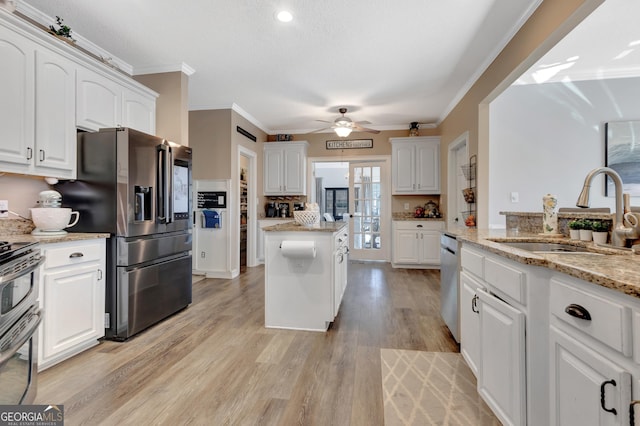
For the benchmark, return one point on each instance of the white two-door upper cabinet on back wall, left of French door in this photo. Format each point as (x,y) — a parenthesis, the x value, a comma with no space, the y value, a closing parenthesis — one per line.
(285,168)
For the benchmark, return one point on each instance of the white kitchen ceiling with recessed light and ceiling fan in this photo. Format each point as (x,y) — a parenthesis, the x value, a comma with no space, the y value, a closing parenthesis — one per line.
(389,62)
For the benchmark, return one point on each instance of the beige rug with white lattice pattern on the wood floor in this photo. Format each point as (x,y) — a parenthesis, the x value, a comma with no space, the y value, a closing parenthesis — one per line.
(430,388)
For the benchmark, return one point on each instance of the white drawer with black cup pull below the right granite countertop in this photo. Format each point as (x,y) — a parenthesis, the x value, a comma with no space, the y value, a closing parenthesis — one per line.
(610,321)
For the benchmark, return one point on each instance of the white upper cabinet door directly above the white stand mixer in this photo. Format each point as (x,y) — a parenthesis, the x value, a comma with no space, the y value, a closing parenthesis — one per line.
(55,115)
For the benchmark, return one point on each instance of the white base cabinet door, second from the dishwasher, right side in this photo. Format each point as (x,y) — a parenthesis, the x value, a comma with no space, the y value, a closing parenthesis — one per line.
(502,369)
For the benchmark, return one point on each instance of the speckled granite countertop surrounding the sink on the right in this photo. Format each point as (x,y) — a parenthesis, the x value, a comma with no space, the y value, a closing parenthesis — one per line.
(618,270)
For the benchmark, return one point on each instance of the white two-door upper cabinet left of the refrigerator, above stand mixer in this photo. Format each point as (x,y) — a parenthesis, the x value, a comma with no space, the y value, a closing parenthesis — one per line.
(37,116)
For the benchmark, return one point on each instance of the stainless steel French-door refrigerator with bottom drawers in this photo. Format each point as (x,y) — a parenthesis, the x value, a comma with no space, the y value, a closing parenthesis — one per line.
(137,187)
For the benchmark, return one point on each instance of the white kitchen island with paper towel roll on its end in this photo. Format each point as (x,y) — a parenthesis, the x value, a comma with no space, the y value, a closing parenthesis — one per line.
(305,274)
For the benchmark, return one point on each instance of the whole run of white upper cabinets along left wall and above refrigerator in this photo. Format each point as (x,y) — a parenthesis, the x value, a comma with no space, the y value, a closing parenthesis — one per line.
(49,89)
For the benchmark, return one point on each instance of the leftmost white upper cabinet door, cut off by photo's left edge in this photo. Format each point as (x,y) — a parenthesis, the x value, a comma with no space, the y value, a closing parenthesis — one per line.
(17,105)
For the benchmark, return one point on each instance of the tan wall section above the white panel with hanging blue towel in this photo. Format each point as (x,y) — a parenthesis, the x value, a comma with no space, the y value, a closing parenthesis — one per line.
(210,138)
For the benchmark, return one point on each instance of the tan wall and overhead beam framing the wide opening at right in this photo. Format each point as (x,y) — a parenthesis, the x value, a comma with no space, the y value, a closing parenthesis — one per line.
(549,24)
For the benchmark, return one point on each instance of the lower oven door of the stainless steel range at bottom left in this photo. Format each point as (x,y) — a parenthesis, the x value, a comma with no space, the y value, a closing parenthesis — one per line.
(18,360)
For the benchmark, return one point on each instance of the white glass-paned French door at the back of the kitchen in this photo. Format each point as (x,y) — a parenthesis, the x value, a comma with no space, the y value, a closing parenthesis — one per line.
(369,218)
